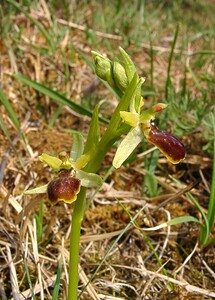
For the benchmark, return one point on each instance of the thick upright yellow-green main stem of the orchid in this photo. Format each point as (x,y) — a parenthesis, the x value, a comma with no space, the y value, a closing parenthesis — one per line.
(110,136)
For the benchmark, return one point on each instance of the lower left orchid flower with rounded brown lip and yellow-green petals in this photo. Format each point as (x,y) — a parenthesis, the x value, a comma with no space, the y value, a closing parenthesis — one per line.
(66,186)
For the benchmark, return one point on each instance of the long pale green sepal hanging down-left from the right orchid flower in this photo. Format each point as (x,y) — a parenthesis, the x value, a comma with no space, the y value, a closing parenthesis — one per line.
(127,146)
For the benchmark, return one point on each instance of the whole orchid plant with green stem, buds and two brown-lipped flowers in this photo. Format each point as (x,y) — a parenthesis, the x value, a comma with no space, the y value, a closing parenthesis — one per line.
(130,122)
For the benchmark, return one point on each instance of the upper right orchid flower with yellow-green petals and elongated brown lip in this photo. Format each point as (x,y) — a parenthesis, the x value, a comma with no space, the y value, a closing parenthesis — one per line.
(142,125)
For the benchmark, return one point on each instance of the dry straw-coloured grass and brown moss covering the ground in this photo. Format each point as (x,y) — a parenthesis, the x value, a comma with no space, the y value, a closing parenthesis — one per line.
(130,271)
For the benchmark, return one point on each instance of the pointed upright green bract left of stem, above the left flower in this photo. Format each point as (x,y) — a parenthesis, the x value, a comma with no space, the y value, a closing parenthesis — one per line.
(94,132)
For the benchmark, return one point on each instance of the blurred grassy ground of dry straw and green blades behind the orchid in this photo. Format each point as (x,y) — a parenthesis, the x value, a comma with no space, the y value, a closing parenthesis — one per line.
(48,90)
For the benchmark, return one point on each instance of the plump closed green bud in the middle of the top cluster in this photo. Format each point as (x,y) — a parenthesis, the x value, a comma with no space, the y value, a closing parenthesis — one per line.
(120,77)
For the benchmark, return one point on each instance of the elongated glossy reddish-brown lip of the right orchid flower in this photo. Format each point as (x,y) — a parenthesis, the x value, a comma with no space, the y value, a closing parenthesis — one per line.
(167,143)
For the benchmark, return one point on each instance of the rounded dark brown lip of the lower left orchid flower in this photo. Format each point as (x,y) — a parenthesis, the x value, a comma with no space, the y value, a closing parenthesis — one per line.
(64,188)
